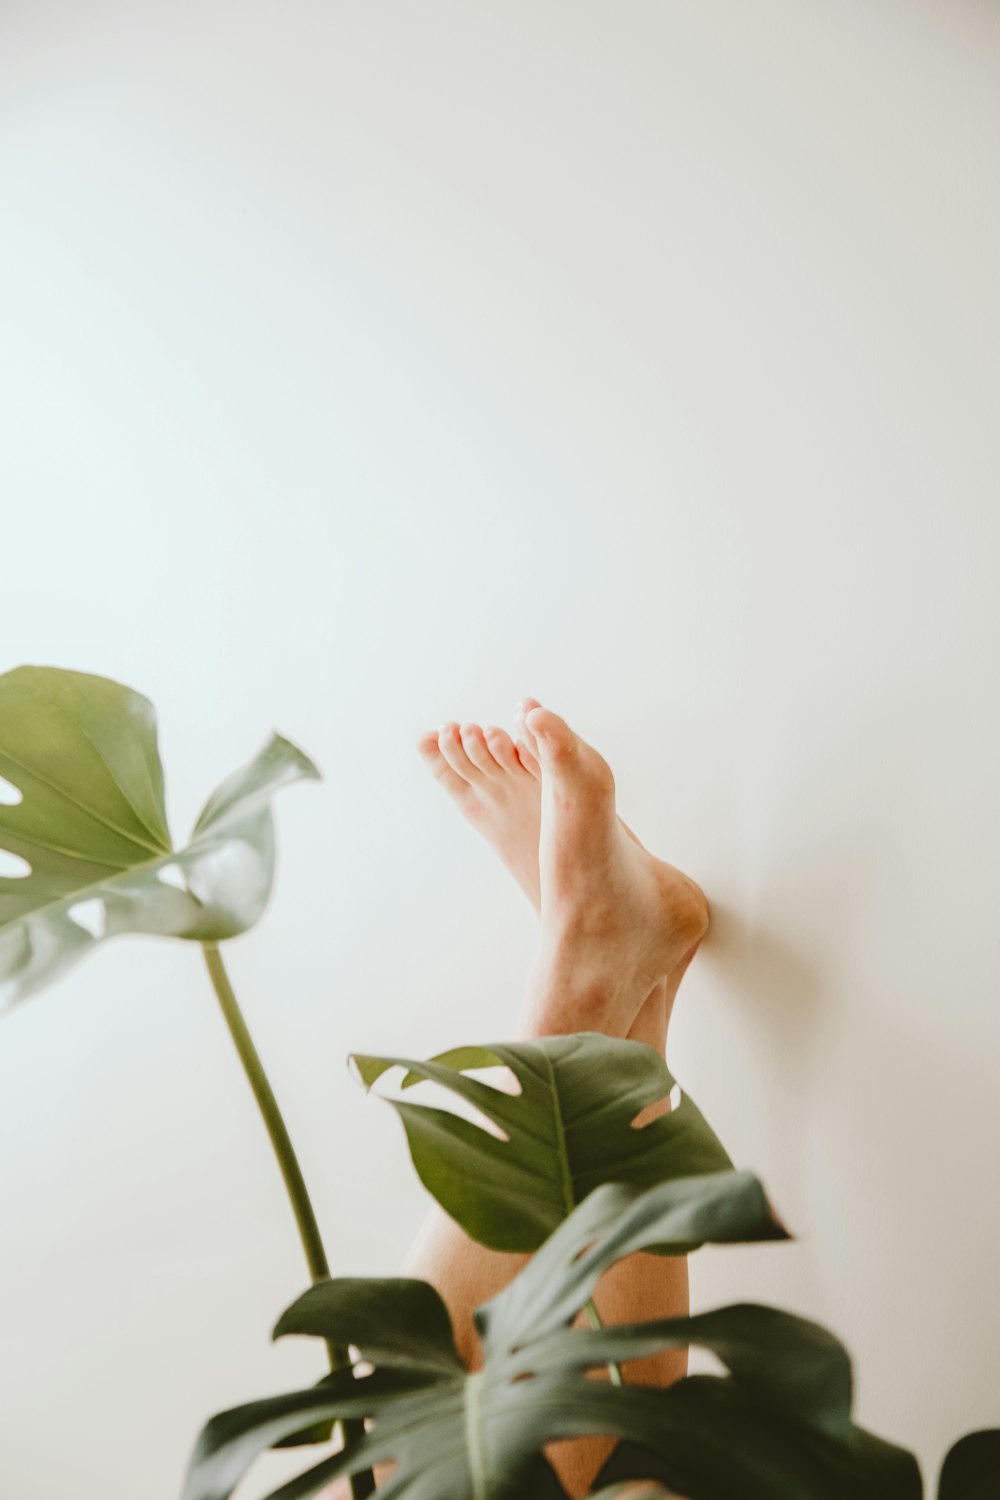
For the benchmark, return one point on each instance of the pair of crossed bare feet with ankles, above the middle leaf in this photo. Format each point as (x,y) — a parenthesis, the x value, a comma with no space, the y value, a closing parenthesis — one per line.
(603,898)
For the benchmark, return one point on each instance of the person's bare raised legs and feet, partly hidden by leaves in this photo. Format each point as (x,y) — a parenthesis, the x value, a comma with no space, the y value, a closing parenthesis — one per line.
(618,929)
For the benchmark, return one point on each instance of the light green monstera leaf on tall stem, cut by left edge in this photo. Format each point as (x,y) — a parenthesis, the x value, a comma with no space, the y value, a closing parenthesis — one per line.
(85,832)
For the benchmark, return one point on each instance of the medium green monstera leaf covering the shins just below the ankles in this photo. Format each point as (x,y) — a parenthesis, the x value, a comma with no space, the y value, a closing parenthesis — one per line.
(570,1129)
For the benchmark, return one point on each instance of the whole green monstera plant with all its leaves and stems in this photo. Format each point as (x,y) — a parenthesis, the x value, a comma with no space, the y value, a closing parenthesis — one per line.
(530,1147)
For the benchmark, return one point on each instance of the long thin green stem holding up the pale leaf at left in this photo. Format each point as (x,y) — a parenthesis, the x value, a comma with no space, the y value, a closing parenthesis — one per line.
(364,1484)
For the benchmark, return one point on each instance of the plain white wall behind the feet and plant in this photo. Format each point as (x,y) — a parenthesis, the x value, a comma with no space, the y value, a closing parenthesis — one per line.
(371,365)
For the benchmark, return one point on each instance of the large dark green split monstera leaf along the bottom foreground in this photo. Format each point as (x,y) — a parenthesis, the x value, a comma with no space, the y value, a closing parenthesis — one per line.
(774,1429)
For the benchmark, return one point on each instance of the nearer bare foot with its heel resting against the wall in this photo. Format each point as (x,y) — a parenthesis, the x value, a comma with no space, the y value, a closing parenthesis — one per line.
(614,919)
